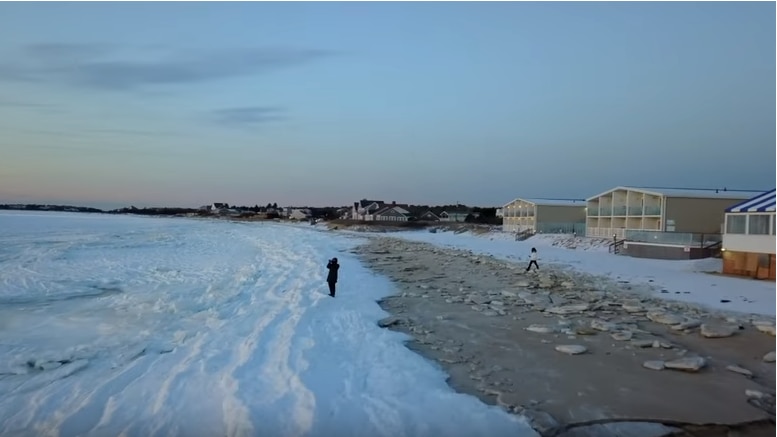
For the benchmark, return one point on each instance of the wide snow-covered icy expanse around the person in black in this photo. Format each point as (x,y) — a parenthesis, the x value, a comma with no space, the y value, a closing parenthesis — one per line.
(121,325)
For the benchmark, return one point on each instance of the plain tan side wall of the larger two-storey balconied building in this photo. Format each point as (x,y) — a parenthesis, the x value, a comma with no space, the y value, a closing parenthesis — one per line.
(697,215)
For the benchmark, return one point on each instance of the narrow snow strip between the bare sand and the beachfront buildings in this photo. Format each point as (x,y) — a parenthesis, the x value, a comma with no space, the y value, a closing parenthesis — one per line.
(694,281)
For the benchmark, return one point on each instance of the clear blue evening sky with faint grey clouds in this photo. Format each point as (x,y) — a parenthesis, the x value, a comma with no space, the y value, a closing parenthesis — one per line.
(186,104)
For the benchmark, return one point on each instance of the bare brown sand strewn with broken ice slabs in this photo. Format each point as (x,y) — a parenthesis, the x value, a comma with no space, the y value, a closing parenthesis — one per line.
(577,354)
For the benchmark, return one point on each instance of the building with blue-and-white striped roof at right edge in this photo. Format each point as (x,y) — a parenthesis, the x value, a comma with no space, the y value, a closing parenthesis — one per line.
(749,238)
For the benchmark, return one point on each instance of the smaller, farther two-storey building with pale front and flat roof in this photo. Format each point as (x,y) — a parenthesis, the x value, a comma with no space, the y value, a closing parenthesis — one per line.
(544,215)
